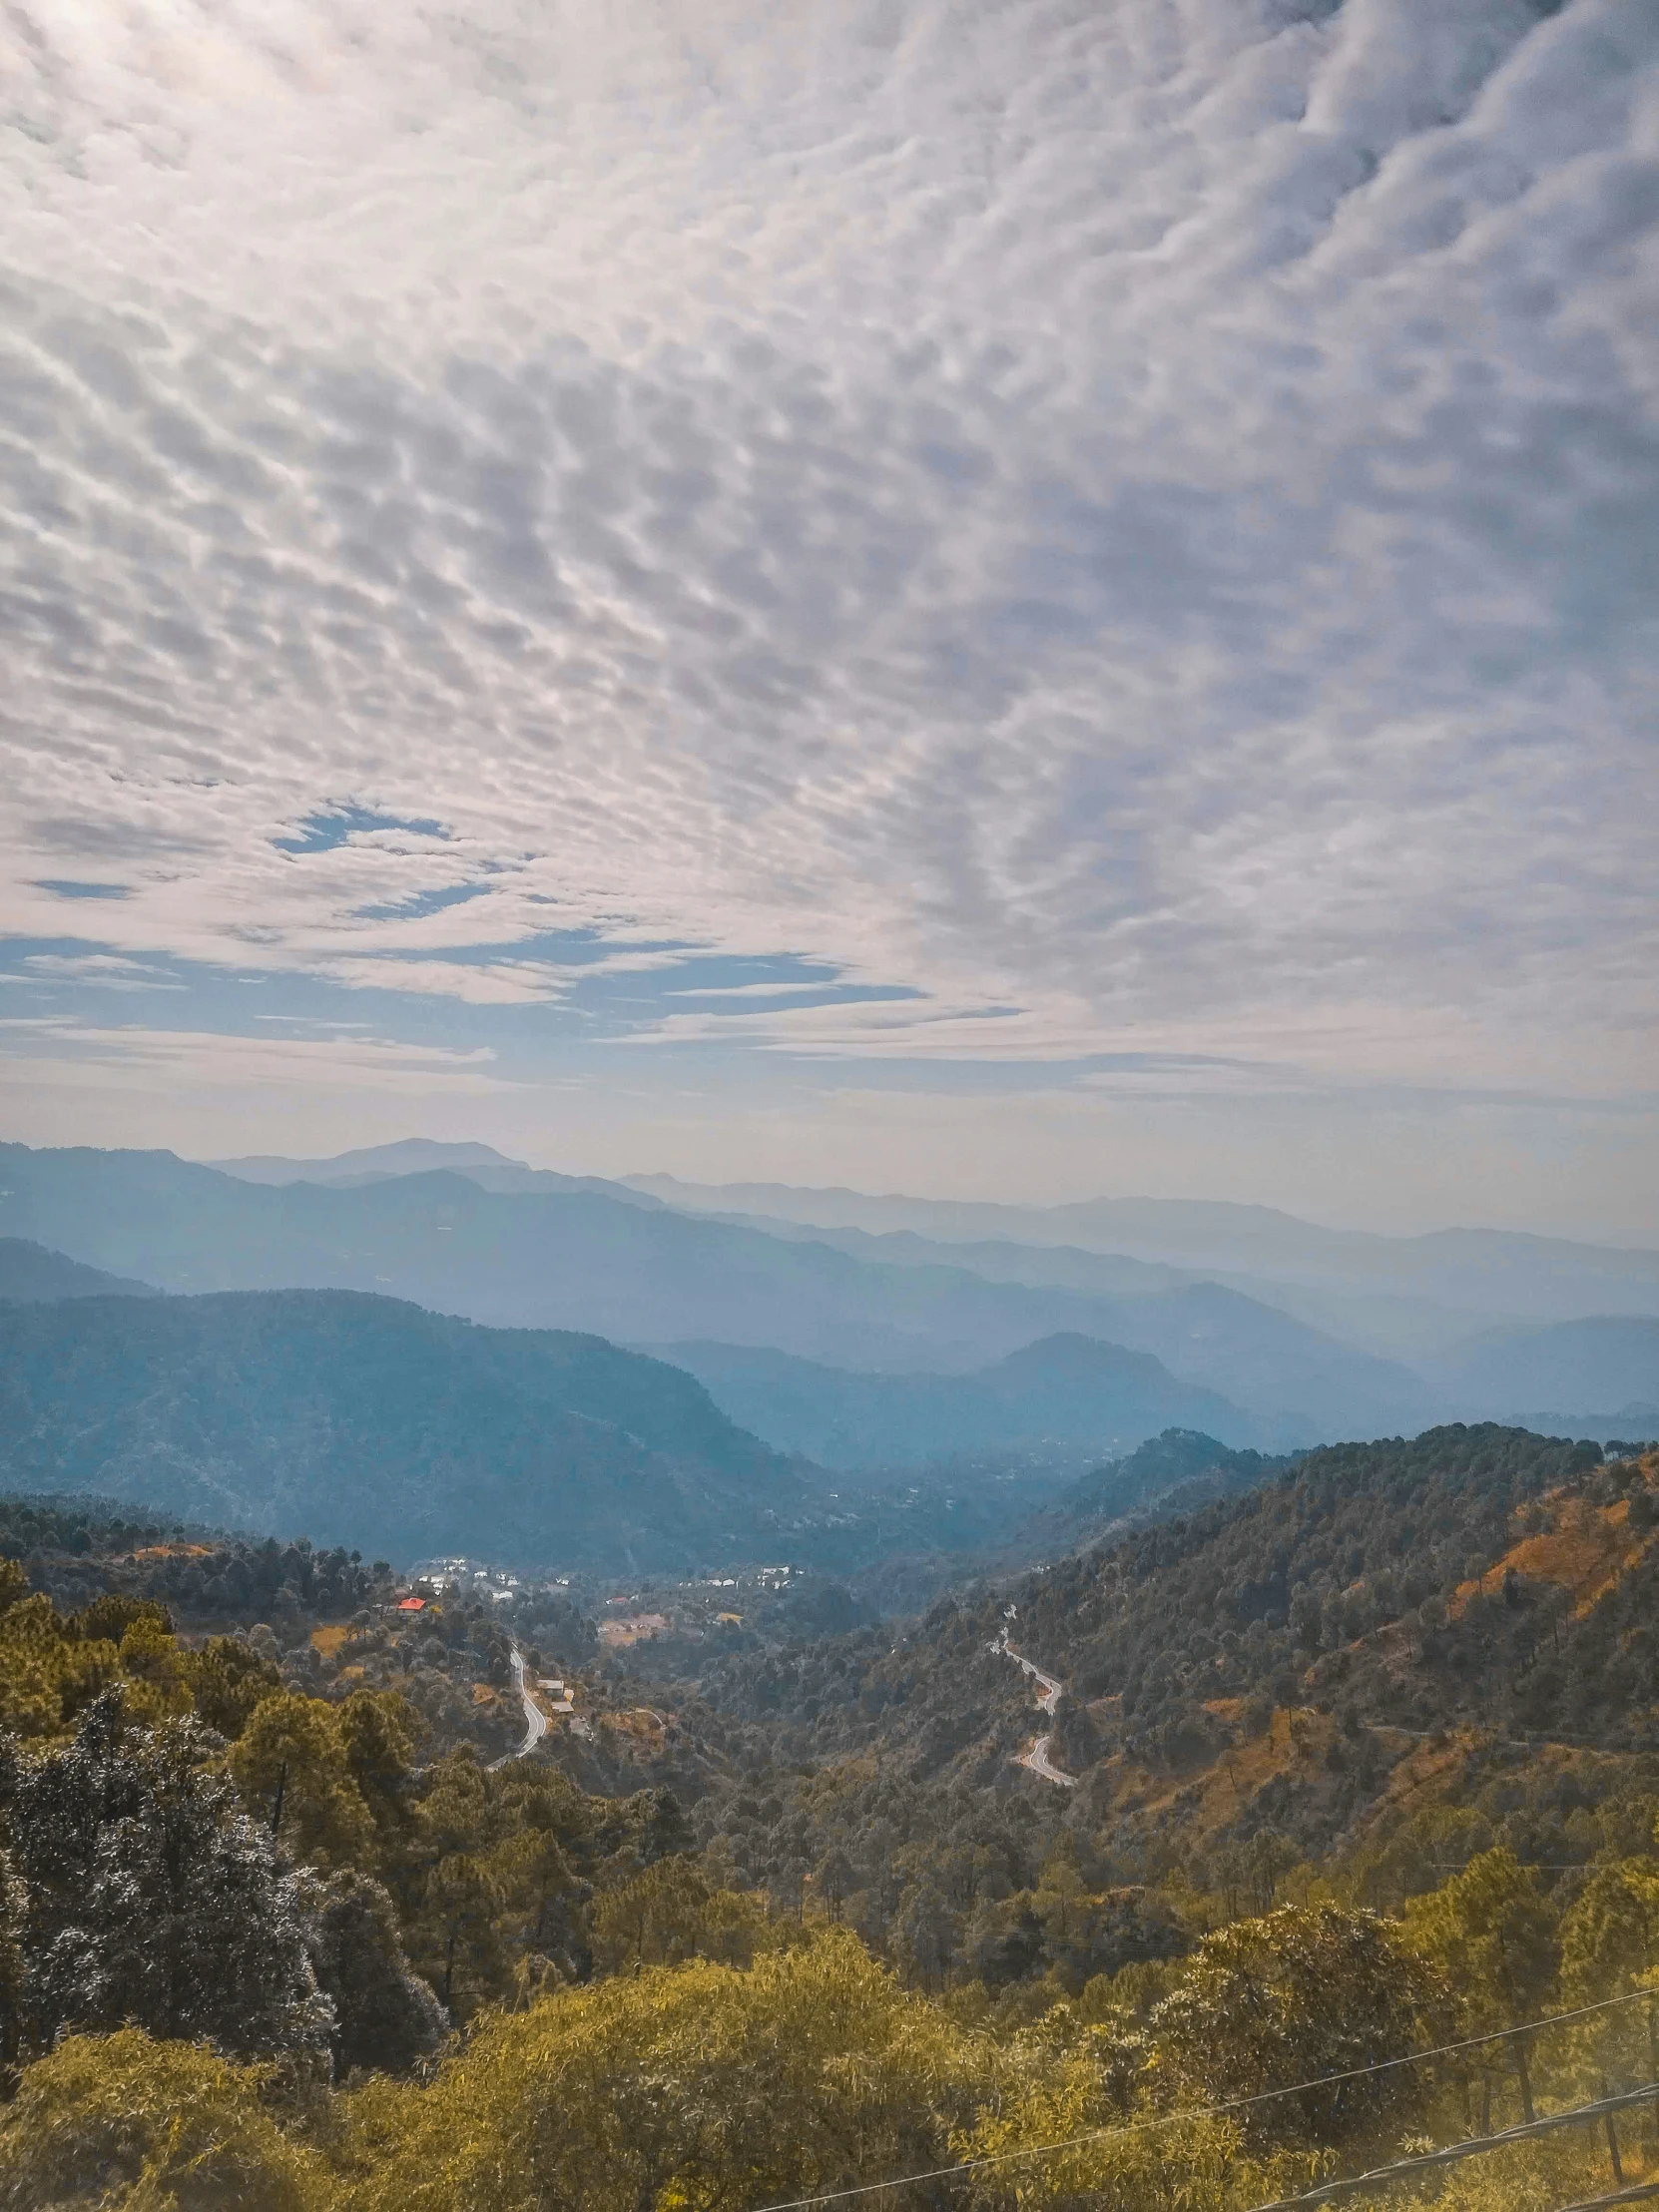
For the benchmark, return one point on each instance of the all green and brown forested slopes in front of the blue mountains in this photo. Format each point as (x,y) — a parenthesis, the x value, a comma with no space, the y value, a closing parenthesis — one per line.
(1302,1844)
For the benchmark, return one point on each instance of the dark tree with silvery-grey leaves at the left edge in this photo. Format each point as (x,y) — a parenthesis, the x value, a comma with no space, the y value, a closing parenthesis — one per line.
(152,1899)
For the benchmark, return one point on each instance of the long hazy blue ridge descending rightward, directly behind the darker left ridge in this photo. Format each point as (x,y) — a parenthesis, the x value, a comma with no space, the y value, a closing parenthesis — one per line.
(640,1273)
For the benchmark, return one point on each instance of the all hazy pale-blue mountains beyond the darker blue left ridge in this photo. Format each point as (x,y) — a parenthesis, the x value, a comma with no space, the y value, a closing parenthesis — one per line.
(875,1319)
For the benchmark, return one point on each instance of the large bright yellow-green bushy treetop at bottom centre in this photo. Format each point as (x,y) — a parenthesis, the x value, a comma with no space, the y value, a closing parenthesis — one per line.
(678,2087)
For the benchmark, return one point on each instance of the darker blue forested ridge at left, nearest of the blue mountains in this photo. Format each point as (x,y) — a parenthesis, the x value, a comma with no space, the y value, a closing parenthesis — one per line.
(379,1426)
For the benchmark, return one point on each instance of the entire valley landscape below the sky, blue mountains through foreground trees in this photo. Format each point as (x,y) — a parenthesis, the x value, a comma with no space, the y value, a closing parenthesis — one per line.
(972,1738)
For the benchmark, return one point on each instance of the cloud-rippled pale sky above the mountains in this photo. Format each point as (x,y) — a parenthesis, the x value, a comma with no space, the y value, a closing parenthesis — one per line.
(1014,598)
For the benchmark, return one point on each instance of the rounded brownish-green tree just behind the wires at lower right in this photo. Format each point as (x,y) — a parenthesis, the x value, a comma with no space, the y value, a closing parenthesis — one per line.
(1300,1994)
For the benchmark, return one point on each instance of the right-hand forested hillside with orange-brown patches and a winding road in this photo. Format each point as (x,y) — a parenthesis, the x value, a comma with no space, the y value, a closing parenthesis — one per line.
(1282,1673)
